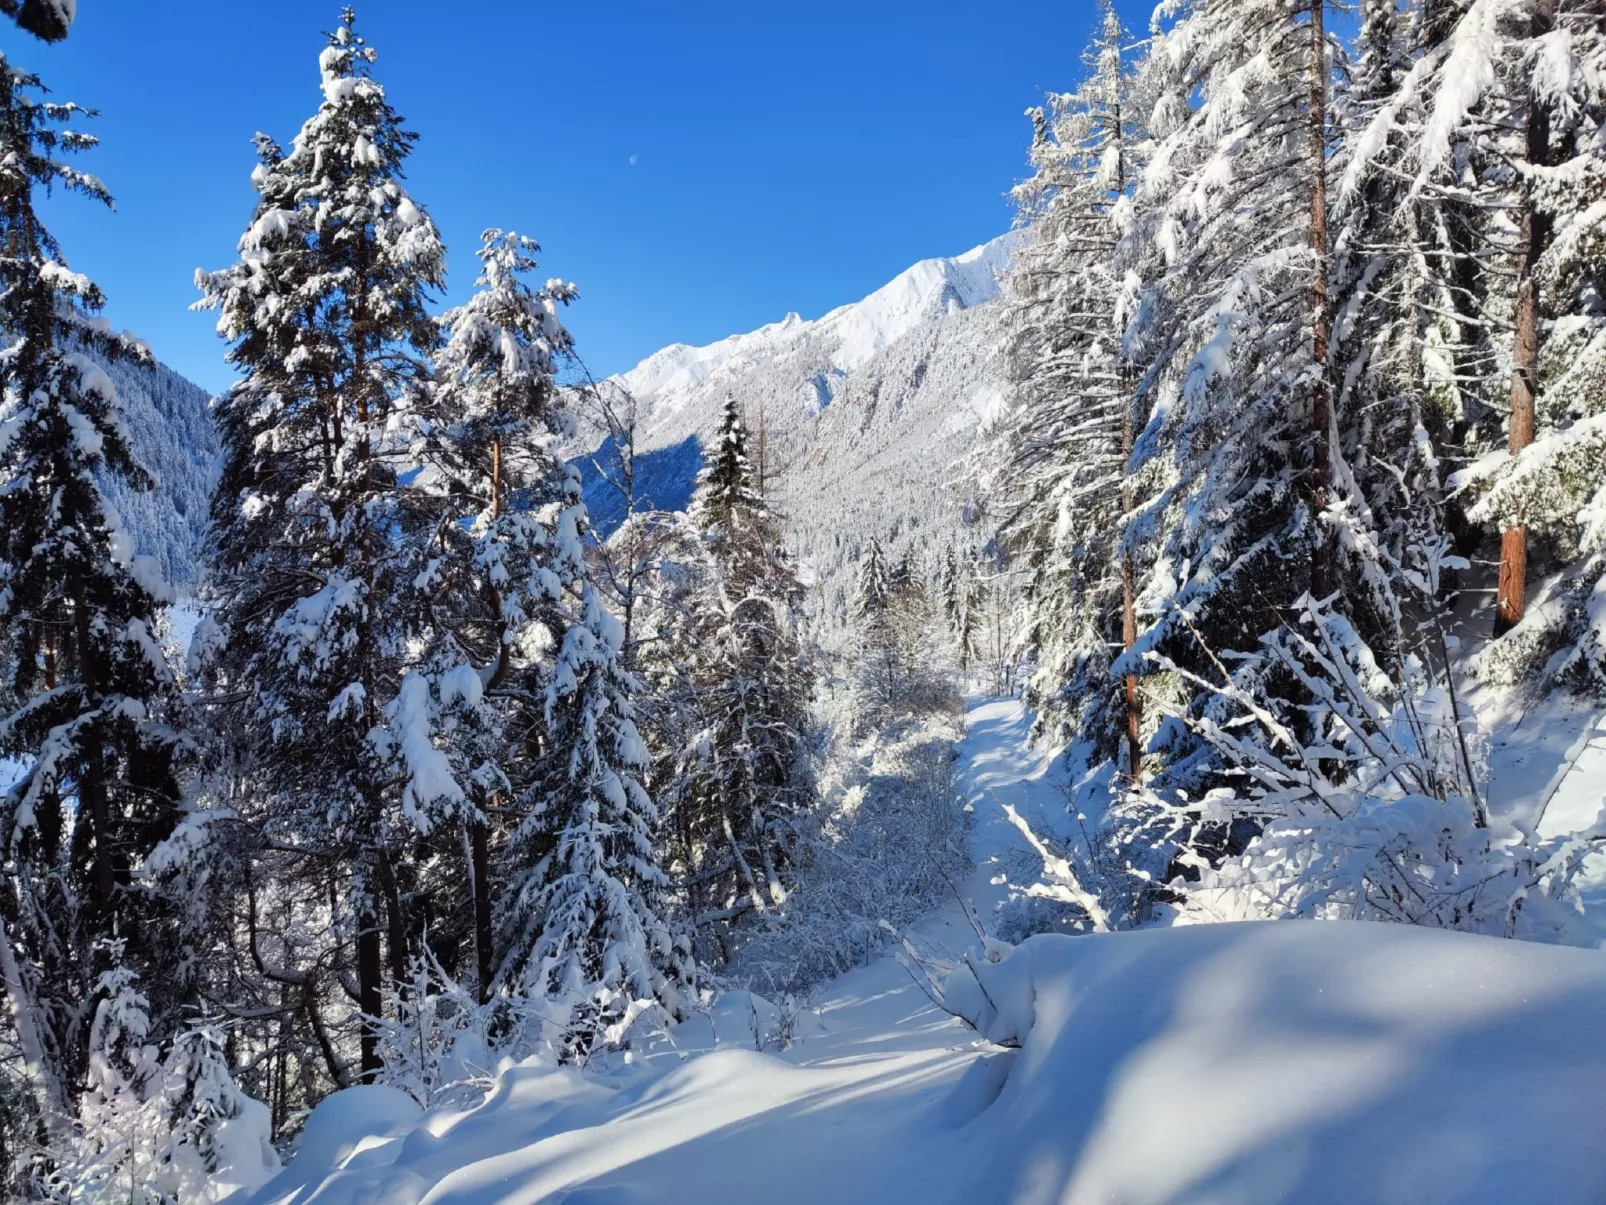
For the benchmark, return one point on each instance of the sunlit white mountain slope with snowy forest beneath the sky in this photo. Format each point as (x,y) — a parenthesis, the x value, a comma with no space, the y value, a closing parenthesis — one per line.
(871,412)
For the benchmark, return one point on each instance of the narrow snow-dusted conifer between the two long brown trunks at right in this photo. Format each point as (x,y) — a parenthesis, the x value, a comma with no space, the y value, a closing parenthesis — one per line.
(1396,406)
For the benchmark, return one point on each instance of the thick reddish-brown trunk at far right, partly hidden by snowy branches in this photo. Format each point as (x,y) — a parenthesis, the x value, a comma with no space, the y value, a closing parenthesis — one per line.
(1536,227)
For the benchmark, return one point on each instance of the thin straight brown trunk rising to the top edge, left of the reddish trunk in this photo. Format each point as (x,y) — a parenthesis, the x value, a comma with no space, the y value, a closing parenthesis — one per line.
(1323,393)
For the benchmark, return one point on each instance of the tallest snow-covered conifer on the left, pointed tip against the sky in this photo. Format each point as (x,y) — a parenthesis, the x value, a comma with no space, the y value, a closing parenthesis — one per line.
(322,563)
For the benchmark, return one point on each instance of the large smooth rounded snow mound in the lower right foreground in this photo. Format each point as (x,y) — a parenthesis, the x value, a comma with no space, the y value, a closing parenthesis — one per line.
(1294,1061)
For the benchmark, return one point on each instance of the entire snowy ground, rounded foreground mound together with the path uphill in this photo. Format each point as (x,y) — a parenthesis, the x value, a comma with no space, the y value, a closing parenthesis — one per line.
(1253,1063)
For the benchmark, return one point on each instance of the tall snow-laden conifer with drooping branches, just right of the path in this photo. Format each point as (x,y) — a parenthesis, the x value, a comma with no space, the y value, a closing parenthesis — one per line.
(1231,340)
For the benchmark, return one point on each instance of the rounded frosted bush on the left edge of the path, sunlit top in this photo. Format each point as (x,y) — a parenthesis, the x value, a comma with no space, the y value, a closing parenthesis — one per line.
(892,846)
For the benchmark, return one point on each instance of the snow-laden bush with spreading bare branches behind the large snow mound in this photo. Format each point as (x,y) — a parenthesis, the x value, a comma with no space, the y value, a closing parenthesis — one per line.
(1369,811)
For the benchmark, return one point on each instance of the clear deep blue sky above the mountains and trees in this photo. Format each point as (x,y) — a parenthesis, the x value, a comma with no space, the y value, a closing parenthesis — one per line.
(696,168)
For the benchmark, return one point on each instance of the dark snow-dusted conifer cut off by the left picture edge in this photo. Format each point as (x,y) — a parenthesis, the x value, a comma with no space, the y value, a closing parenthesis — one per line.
(88,693)
